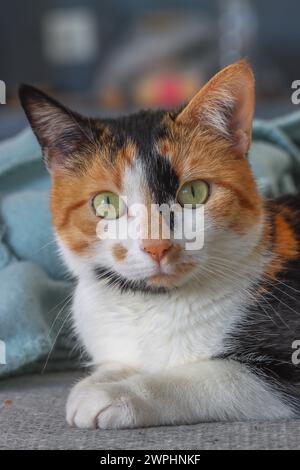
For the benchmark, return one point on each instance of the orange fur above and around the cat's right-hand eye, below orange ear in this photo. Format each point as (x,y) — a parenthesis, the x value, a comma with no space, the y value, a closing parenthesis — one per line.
(200,154)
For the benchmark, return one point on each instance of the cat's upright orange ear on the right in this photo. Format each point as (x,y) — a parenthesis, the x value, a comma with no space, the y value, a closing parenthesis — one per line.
(226,104)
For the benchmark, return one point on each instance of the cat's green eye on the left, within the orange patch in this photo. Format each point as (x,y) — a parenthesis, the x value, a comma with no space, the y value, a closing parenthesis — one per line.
(108,205)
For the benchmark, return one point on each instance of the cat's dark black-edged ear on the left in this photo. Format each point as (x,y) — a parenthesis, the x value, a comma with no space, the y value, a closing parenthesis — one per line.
(62,133)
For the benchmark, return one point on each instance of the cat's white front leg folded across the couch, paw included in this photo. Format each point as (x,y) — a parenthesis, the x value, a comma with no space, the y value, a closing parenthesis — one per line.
(205,391)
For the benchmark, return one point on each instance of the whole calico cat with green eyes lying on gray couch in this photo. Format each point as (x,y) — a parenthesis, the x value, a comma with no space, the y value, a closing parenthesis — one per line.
(175,335)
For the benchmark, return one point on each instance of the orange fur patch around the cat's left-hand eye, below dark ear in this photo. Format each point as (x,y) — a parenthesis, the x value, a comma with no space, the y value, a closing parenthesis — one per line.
(71,196)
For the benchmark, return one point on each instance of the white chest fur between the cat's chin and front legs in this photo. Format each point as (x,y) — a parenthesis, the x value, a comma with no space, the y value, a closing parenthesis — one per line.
(151,332)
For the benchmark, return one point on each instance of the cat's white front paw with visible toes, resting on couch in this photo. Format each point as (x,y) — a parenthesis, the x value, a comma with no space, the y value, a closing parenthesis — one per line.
(103,406)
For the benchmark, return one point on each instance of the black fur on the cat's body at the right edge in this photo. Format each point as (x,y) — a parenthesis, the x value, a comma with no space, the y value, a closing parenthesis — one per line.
(263,340)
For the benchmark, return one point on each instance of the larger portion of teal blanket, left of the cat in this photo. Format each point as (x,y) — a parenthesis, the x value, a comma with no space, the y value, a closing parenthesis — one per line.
(34,291)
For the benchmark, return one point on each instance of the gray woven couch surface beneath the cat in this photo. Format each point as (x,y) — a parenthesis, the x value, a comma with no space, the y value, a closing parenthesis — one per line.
(32,416)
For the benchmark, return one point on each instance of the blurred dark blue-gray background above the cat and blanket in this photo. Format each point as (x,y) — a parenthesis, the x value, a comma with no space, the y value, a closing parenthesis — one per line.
(113,56)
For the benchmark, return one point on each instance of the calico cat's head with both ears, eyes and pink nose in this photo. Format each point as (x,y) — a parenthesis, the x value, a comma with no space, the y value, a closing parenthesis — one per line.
(196,155)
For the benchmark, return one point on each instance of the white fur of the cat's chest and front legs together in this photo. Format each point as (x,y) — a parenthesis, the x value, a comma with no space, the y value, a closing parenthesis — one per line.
(153,359)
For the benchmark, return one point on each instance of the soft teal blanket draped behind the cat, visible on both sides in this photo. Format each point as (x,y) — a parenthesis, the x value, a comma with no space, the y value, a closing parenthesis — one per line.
(35,290)
